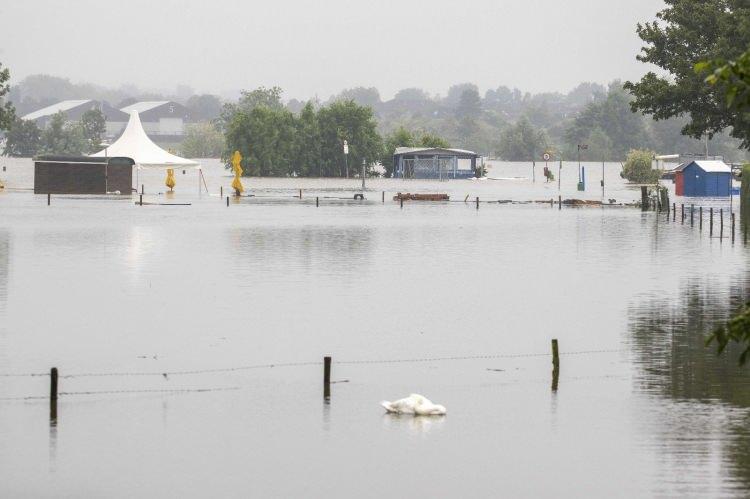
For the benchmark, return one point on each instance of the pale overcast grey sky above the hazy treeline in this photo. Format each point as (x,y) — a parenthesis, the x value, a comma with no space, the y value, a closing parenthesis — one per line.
(314,48)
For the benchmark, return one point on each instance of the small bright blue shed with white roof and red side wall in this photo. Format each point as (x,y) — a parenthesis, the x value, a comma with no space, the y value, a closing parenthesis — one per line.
(704,178)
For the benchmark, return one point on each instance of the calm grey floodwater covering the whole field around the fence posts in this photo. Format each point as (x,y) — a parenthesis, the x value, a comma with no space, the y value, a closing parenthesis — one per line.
(96,285)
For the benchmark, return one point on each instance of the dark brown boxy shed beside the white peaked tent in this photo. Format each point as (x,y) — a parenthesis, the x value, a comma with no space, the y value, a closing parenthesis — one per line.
(82,175)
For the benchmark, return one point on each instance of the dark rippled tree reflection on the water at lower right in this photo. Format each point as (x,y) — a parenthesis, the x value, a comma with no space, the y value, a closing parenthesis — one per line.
(705,408)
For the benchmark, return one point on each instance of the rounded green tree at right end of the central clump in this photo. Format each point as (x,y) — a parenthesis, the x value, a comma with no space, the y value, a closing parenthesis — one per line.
(346,120)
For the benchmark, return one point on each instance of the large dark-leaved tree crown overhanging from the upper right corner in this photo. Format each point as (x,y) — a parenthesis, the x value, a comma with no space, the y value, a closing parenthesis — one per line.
(684,34)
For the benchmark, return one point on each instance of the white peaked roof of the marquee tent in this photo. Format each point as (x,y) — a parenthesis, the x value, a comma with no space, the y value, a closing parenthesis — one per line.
(134,143)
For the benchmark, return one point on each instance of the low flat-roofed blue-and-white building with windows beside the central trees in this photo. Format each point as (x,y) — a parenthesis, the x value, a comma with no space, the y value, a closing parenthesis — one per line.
(437,163)
